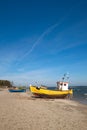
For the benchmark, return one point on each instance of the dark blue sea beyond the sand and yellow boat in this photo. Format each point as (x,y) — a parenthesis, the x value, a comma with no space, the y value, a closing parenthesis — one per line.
(79,94)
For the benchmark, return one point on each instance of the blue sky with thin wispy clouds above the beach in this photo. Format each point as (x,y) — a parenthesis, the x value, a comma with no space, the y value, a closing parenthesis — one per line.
(40,40)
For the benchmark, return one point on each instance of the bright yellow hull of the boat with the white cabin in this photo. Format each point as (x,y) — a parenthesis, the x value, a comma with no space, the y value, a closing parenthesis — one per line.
(40,92)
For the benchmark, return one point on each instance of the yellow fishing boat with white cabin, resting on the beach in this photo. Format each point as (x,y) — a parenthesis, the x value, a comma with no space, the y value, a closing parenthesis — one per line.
(61,91)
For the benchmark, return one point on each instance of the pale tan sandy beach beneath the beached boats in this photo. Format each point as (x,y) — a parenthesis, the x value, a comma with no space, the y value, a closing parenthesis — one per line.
(20,111)
